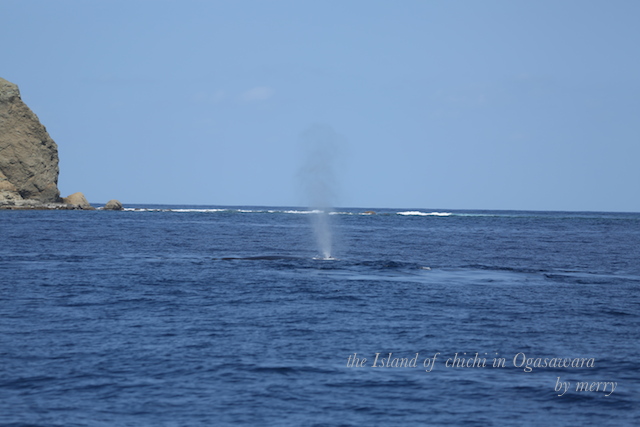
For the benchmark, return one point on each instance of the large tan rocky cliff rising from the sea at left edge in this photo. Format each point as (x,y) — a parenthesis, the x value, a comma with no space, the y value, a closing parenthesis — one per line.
(28,155)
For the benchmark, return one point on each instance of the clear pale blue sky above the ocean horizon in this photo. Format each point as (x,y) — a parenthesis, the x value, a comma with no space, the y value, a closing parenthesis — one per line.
(437,104)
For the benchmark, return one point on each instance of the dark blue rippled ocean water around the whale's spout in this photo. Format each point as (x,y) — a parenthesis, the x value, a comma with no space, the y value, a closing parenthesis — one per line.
(165,318)
